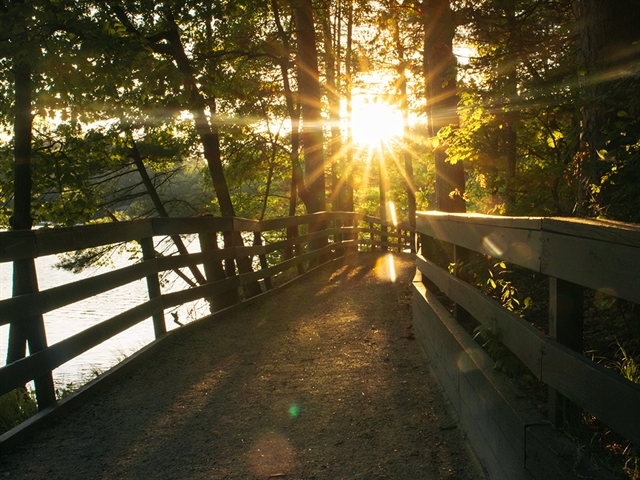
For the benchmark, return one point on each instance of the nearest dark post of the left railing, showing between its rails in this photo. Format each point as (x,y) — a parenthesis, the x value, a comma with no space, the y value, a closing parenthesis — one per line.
(25,281)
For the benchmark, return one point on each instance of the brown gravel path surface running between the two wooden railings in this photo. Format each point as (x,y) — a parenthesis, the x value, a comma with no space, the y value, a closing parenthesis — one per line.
(320,380)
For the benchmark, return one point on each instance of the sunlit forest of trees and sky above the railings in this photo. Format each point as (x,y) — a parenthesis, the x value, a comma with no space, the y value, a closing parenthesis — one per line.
(114,110)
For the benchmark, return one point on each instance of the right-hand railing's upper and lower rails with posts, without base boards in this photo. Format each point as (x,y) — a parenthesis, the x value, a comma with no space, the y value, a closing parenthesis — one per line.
(573,253)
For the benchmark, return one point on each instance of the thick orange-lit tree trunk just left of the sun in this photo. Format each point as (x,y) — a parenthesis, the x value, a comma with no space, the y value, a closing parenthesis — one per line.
(309,94)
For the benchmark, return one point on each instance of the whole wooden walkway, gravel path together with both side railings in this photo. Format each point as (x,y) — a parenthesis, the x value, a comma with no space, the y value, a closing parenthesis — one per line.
(350,334)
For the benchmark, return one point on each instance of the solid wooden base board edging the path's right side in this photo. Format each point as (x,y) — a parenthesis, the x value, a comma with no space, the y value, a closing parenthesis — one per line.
(493,412)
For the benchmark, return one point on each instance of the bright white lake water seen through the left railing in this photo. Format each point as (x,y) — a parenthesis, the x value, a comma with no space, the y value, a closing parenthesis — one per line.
(69,320)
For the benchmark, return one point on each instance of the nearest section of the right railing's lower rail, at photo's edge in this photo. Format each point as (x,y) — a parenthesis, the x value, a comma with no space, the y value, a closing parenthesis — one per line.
(611,398)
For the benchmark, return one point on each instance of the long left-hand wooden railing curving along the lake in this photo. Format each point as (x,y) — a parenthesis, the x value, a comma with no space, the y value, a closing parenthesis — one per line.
(301,242)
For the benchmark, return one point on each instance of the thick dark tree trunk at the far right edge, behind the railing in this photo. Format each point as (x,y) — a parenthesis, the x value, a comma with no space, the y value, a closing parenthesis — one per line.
(607,56)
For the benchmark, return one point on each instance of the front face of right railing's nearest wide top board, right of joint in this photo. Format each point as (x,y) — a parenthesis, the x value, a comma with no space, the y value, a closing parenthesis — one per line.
(603,266)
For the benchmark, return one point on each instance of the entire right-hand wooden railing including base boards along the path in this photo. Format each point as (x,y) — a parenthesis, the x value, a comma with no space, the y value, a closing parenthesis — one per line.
(574,254)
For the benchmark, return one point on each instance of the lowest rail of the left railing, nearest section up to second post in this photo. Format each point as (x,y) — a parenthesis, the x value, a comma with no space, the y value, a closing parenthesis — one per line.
(22,371)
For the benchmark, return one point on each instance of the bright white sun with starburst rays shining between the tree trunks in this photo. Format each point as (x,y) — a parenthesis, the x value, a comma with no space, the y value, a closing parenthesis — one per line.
(374,120)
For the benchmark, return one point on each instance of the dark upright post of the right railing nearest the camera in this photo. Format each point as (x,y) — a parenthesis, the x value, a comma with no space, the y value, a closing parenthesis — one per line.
(566,322)
